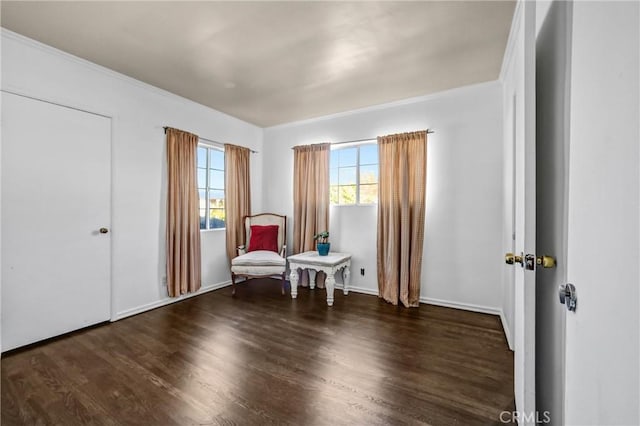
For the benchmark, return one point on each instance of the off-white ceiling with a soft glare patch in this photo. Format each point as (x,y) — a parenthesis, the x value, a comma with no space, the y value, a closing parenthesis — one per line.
(276,62)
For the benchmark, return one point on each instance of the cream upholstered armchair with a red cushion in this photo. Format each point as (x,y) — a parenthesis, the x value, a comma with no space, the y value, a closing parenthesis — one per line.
(264,253)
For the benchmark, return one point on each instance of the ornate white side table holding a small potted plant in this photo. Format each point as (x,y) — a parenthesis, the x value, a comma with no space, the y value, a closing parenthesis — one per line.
(313,262)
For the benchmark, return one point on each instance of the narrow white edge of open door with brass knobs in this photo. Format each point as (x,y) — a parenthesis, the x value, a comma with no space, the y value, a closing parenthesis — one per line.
(525,221)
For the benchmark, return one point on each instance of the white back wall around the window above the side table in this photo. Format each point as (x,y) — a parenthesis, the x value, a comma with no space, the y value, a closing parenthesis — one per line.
(462,249)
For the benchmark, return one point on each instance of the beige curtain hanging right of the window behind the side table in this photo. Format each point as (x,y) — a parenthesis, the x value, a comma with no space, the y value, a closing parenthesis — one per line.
(401,207)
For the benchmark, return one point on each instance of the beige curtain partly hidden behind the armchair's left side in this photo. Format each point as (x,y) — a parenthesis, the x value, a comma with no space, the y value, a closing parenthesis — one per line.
(237,202)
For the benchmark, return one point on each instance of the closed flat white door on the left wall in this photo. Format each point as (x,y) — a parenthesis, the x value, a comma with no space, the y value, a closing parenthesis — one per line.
(55,198)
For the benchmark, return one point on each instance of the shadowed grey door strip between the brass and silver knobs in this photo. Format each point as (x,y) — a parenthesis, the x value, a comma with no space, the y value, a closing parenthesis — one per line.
(552,147)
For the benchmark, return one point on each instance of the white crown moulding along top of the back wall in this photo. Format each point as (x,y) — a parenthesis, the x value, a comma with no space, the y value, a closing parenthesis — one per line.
(408,101)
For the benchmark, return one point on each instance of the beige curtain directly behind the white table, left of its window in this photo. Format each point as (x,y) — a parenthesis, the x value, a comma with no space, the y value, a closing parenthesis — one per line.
(310,198)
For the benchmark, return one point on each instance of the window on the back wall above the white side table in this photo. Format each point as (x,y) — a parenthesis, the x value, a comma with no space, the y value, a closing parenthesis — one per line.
(353,174)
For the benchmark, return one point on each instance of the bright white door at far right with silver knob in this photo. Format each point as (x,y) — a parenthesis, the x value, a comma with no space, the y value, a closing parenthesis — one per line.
(602,354)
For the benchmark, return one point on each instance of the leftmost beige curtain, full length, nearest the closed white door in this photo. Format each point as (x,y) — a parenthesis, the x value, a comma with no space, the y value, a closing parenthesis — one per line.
(183,221)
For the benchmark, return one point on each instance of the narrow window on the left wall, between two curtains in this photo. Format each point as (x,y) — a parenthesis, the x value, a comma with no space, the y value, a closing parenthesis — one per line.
(211,187)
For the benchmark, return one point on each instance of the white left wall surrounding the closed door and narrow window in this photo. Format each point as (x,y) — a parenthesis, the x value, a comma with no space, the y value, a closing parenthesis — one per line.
(138,112)
